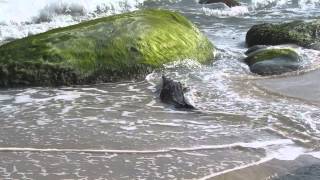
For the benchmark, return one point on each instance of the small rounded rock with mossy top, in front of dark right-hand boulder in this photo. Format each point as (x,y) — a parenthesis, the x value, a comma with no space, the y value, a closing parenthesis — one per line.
(272,60)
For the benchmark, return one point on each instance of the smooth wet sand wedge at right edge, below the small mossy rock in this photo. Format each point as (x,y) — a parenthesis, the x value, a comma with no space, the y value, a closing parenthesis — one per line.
(305,86)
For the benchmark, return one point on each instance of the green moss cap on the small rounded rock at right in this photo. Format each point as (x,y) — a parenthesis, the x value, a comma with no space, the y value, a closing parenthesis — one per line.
(271,53)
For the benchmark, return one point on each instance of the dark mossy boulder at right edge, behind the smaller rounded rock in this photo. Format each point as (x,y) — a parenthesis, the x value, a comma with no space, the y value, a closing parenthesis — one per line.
(305,34)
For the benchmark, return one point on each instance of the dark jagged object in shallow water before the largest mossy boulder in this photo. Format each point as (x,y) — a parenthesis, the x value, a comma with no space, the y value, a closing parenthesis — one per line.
(172,93)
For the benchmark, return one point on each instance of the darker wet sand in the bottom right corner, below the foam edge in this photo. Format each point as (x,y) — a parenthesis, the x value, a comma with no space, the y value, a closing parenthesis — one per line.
(303,168)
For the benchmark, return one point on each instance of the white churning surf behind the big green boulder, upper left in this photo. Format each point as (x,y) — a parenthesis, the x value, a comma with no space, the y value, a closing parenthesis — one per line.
(21,18)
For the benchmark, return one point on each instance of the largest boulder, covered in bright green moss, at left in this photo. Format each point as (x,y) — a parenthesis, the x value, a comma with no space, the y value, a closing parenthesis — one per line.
(109,49)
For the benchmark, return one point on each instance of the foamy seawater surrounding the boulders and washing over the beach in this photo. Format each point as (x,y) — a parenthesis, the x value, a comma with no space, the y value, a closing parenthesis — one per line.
(122,130)
